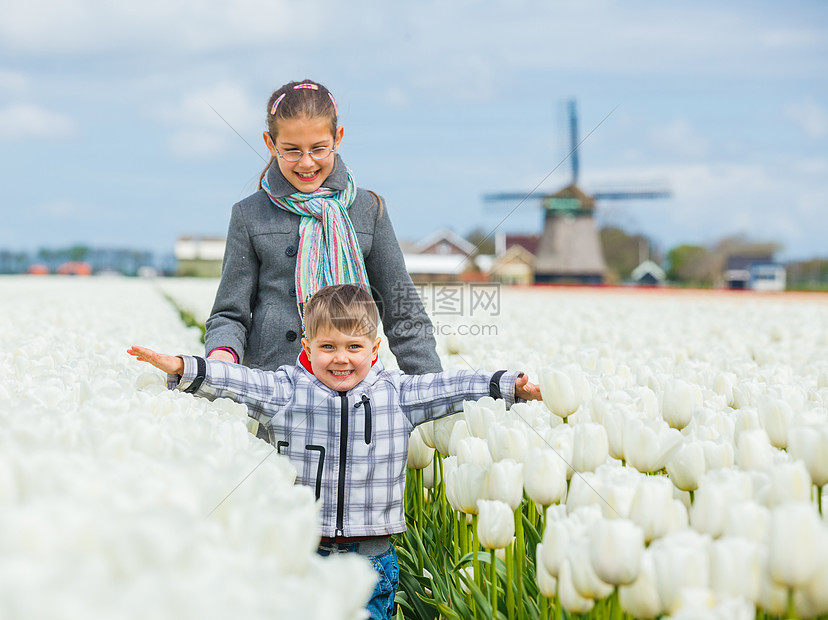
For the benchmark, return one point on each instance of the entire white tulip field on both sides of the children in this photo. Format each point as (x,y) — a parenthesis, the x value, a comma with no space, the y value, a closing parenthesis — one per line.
(674,469)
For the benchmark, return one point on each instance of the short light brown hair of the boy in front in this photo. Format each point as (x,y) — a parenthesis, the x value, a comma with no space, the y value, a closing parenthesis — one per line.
(345,307)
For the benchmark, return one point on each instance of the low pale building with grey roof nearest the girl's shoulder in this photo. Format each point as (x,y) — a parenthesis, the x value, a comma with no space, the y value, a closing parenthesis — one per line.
(443,256)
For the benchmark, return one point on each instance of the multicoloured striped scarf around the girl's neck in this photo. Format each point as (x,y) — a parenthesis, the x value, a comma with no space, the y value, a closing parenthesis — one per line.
(329,251)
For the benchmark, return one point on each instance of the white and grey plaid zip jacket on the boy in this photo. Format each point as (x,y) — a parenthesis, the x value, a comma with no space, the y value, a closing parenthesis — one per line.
(350,447)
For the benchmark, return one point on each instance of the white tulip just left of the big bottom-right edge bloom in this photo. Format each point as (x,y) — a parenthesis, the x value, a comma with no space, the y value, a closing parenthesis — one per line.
(735,568)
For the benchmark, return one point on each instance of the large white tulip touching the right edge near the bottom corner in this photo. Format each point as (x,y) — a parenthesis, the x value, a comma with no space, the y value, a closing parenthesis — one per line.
(794,559)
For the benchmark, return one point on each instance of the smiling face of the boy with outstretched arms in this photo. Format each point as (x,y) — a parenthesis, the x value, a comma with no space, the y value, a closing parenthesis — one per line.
(339,360)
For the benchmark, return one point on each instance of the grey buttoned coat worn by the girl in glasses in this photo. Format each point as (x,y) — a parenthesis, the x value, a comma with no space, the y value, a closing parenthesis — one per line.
(255,310)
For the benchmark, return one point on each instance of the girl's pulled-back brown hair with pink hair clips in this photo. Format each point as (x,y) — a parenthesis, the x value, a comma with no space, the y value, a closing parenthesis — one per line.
(305,99)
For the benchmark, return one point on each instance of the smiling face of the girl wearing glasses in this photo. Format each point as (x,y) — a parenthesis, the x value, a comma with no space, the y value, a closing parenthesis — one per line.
(305,134)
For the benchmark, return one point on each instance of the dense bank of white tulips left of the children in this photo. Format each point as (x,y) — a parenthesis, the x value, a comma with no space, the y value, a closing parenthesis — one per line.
(118,498)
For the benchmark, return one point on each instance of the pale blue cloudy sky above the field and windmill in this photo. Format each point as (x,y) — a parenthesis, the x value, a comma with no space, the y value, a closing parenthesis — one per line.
(131,124)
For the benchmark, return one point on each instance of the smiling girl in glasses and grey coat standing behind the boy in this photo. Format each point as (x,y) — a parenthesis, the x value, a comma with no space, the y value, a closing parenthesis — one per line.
(309,226)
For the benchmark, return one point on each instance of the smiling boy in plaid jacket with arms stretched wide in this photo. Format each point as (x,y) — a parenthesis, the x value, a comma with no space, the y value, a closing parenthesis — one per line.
(344,421)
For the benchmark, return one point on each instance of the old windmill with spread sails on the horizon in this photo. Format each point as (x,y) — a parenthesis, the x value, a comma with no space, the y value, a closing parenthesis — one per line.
(569,249)
